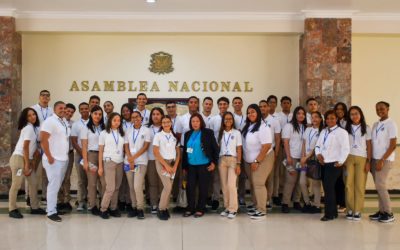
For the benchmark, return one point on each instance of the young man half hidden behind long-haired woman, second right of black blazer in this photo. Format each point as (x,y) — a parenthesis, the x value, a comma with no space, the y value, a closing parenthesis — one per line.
(275,127)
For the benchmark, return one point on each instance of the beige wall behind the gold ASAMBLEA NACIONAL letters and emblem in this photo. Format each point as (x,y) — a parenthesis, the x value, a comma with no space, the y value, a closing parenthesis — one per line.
(53,60)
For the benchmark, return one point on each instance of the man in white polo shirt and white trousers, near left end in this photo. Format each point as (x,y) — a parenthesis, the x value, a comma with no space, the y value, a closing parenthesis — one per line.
(54,136)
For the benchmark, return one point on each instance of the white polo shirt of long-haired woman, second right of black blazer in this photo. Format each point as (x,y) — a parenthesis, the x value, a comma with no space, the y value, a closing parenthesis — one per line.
(253,142)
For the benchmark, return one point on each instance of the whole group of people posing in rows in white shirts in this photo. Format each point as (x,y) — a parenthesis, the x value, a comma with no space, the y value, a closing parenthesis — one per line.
(125,160)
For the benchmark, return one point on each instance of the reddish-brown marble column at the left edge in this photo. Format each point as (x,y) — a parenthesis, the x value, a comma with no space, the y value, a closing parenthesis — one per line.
(10,96)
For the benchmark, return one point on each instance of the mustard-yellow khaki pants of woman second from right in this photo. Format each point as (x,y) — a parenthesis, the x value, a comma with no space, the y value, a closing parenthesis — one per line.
(356,179)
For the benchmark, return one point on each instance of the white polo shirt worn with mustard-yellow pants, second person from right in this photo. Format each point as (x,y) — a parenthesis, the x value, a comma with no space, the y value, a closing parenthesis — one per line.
(358,142)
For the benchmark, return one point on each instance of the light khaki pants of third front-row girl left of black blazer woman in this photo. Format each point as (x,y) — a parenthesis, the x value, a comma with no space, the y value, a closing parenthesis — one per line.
(113,175)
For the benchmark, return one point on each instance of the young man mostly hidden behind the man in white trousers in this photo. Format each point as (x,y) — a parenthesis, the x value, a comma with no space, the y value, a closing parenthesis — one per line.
(64,196)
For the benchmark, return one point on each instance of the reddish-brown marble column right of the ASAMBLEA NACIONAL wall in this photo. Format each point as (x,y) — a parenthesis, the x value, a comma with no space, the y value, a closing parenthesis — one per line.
(325,61)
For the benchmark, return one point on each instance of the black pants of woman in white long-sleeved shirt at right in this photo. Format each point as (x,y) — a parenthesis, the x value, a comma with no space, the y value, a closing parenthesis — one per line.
(330,175)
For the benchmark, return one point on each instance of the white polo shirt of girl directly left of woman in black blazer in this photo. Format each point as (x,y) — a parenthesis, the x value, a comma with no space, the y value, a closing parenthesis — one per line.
(167,144)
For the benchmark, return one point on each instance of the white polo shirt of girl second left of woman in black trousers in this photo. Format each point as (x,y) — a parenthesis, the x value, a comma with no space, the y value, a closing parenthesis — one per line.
(295,139)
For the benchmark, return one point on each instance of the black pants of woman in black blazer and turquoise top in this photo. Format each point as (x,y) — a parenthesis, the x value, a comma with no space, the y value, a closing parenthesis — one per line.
(197,176)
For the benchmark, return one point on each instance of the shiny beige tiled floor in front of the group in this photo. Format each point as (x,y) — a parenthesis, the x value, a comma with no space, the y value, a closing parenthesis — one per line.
(277,231)
